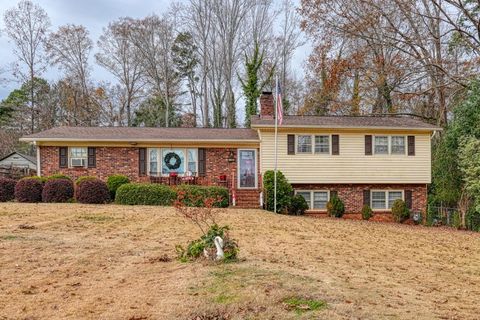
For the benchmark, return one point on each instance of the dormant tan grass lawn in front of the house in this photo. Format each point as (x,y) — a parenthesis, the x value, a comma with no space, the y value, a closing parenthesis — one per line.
(74,261)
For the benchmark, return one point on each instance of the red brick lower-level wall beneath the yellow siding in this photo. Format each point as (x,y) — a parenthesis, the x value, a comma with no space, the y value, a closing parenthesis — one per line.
(352,194)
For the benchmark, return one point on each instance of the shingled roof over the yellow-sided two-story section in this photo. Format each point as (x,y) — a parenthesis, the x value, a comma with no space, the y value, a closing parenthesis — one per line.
(371,122)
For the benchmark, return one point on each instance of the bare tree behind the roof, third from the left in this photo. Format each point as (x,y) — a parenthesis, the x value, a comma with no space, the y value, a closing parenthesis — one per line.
(117,55)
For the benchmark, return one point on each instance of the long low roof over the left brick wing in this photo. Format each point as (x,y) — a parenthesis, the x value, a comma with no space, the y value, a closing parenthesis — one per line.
(142,134)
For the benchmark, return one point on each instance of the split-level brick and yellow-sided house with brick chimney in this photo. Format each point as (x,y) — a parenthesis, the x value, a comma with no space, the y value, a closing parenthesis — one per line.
(364,160)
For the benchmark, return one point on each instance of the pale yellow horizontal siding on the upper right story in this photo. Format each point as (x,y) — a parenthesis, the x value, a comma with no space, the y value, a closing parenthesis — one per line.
(352,165)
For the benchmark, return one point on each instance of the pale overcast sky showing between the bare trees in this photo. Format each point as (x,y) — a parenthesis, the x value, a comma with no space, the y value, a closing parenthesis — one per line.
(94,15)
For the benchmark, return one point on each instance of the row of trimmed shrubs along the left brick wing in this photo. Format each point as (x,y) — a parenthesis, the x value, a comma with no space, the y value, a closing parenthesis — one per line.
(87,189)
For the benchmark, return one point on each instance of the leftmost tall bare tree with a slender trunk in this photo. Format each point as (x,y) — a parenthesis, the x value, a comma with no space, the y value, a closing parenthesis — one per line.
(27,25)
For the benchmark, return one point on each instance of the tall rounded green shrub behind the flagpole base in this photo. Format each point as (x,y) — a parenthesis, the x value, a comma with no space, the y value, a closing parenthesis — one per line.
(284,191)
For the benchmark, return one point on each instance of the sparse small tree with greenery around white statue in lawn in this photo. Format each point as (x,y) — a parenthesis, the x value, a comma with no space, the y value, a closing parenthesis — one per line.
(205,219)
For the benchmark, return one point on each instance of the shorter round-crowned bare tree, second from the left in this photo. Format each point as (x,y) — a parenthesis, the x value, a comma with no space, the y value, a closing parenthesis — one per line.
(69,48)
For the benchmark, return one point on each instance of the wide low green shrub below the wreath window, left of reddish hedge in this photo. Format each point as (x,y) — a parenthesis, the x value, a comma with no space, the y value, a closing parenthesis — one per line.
(145,194)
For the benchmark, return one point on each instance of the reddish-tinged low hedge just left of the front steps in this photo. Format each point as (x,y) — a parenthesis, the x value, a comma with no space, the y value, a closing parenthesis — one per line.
(194,196)
